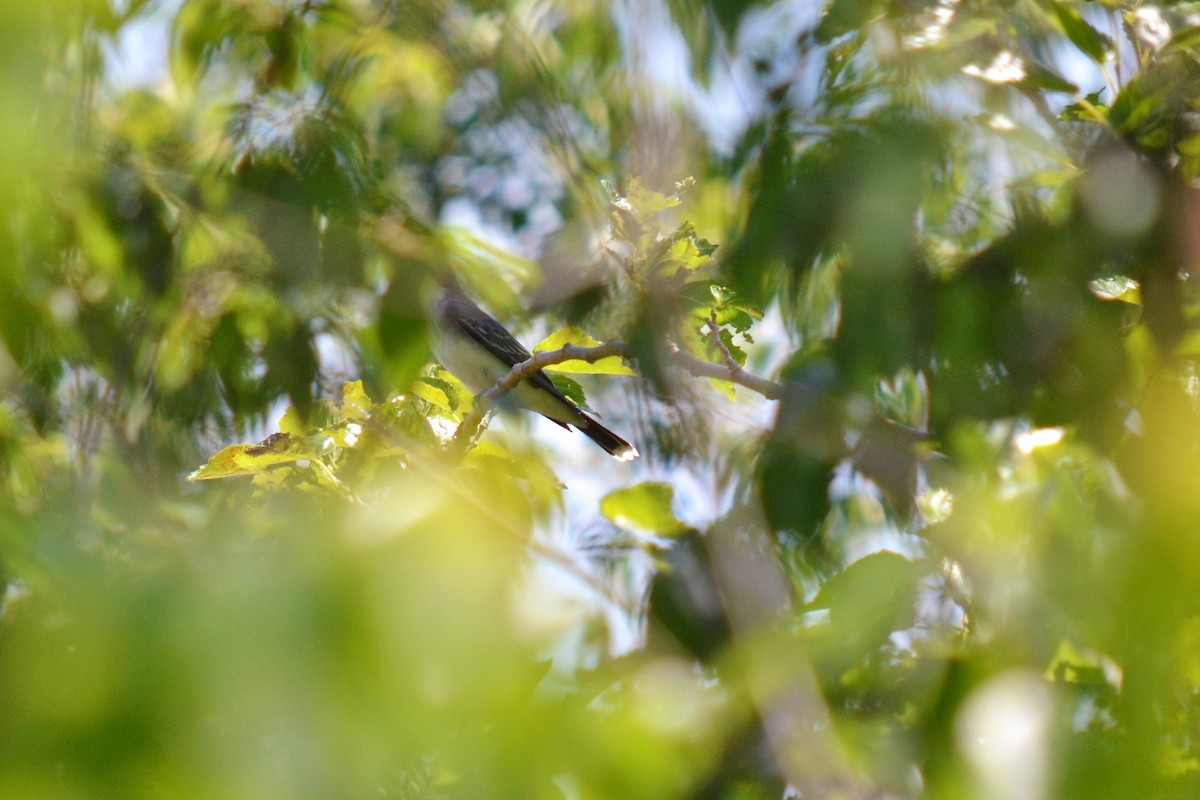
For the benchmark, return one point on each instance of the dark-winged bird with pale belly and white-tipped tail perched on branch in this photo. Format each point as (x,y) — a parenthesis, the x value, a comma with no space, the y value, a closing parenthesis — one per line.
(479,352)
